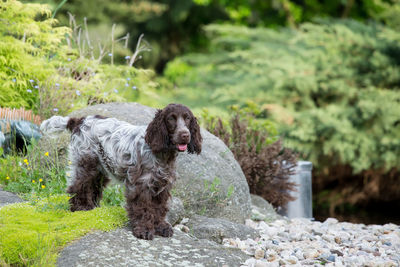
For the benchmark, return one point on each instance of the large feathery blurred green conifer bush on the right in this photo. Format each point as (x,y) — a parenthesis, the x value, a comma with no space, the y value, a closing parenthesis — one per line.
(332,86)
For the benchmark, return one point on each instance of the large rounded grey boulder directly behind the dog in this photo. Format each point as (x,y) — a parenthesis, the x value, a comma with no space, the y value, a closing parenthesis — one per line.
(210,184)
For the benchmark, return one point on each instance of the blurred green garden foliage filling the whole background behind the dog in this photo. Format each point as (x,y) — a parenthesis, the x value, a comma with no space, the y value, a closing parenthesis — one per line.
(326,74)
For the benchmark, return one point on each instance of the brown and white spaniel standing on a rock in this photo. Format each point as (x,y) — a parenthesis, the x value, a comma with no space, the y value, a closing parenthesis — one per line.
(141,157)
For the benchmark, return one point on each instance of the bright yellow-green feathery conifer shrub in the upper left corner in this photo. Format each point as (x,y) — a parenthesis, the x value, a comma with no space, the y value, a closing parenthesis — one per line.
(28,49)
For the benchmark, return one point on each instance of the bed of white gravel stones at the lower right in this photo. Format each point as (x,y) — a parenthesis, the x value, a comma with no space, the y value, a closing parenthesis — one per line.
(301,242)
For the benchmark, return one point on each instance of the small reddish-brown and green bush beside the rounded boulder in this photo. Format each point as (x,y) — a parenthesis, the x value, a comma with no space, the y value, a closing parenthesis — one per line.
(265,163)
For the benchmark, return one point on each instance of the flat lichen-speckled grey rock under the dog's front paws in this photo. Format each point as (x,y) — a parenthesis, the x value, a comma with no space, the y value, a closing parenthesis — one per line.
(121,248)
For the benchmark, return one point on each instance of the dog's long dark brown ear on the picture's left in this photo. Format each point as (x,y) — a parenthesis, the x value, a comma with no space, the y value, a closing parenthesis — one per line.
(156,133)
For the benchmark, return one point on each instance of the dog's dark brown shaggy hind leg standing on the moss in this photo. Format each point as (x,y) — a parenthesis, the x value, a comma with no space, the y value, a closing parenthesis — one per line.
(87,184)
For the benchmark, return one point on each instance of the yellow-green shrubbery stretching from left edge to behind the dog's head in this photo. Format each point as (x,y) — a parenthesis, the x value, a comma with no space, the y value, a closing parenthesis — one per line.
(41,71)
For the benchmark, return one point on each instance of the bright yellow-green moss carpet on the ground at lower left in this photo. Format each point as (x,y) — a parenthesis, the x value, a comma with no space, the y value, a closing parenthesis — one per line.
(33,233)
